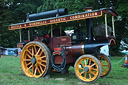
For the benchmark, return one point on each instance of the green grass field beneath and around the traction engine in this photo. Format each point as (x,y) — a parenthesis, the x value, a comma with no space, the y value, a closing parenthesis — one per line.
(12,74)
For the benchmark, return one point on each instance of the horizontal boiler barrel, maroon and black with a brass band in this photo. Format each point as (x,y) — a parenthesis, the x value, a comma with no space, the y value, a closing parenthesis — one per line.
(78,50)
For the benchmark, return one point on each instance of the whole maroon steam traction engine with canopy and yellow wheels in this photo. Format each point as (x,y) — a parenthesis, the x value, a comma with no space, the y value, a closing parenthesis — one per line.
(58,51)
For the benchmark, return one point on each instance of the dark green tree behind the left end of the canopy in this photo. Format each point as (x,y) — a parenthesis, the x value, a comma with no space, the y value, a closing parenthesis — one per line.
(14,11)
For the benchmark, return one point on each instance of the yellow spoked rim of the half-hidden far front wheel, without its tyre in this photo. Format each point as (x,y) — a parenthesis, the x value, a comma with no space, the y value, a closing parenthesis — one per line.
(105,65)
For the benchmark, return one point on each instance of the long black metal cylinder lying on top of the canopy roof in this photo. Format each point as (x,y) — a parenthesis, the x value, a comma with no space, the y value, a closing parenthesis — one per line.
(48,14)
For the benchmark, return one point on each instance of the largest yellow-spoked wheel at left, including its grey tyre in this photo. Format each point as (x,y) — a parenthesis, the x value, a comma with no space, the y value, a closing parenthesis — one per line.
(35,59)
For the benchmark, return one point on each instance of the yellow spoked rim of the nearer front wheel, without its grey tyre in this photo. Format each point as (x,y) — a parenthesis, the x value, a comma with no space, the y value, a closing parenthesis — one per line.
(86,69)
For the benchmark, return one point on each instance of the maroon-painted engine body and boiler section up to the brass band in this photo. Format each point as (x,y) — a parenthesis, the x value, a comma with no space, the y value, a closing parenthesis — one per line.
(70,50)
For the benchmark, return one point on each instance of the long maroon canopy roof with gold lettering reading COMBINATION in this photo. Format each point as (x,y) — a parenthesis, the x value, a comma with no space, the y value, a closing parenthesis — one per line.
(65,18)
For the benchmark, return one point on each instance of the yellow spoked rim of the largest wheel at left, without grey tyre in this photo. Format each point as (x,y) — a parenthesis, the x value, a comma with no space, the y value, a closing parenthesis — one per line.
(33,60)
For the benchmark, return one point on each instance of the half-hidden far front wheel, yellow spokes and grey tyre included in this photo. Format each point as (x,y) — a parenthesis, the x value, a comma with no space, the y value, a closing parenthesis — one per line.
(105,64)
